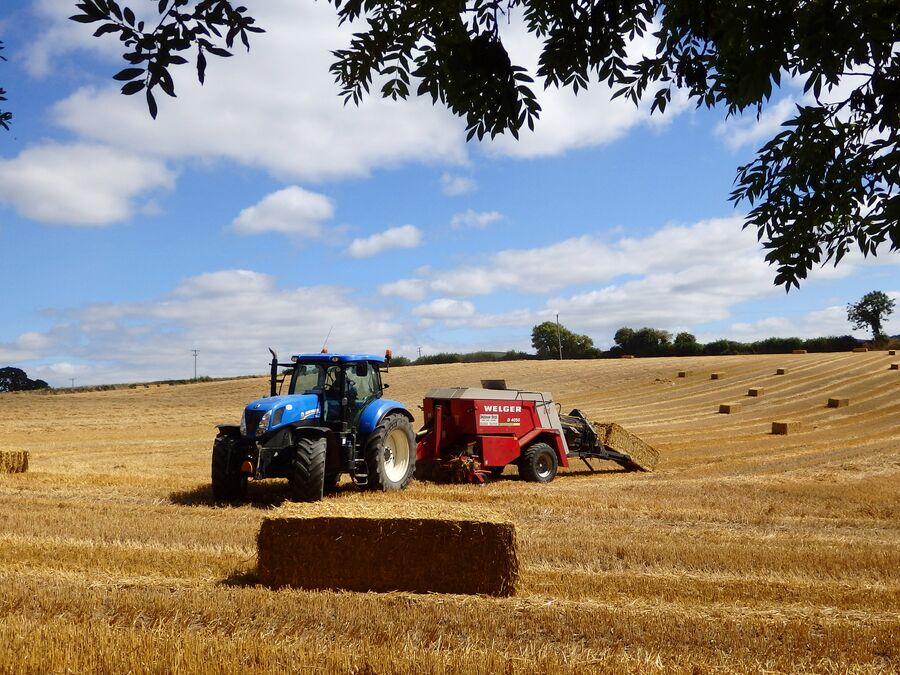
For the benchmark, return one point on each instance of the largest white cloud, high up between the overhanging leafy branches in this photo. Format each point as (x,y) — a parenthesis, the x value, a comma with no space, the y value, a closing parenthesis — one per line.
(276,107)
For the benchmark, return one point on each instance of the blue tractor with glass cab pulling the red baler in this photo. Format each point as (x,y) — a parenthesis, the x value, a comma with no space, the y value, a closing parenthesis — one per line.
(331,420)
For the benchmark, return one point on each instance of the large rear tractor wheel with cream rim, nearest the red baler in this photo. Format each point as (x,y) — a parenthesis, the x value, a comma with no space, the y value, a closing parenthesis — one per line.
(391,454)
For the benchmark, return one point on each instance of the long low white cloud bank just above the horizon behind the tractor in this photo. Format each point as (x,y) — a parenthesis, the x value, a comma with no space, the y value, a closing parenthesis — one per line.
(152,340)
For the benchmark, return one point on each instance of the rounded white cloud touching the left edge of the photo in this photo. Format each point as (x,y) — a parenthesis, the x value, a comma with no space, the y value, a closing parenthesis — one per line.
(79,184)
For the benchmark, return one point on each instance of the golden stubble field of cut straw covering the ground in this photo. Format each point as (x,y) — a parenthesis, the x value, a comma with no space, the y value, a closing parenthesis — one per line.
(745,551)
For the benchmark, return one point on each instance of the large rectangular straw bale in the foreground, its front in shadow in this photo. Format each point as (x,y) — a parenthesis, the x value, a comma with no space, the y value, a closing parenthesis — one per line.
(399,548)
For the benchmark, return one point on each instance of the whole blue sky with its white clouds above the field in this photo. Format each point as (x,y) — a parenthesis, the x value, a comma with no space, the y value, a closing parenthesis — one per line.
(259,211)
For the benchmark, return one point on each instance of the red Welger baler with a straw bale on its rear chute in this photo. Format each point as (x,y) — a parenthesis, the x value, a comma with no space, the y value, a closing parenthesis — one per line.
(470,433)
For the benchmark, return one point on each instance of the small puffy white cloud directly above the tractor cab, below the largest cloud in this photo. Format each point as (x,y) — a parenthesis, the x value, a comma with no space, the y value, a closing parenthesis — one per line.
(293,211)
